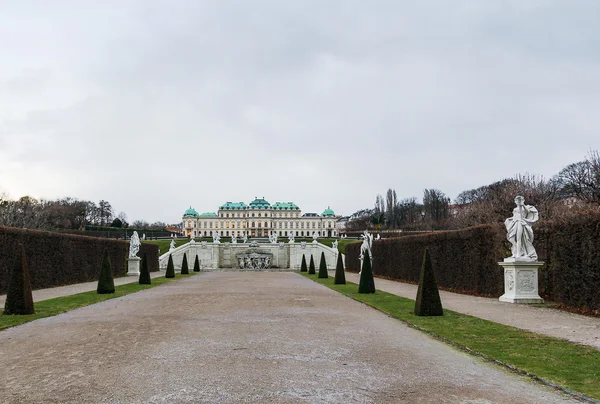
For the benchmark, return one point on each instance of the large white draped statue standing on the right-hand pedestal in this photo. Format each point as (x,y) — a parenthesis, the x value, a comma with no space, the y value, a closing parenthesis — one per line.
(520,233)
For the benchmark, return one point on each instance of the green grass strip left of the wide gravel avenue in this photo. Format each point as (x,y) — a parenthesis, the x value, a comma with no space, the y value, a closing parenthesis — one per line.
(52,307)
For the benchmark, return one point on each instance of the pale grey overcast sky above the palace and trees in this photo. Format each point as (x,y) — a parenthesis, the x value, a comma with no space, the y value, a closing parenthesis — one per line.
(159,105)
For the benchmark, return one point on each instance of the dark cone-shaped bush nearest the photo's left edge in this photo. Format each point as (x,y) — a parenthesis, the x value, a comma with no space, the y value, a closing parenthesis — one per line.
(19,299)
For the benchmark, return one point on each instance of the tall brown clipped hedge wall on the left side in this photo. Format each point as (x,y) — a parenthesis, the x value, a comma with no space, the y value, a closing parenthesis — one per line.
(56,259)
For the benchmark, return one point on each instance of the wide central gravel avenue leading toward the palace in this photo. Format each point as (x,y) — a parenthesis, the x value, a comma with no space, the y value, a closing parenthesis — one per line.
(243,337)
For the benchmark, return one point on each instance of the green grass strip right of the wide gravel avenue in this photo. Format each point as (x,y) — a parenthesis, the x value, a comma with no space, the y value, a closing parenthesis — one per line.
(569,365)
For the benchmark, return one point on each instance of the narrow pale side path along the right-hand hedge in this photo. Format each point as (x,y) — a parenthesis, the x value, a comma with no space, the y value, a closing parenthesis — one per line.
(555,323)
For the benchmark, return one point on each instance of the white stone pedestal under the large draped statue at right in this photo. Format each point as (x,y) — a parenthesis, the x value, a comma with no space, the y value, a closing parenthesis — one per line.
(521,281)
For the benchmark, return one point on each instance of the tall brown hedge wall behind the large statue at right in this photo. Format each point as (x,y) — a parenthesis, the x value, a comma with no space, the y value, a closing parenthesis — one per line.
(466,260)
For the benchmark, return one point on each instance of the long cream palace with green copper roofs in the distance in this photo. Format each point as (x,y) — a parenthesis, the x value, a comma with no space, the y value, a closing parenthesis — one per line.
(259,219)
